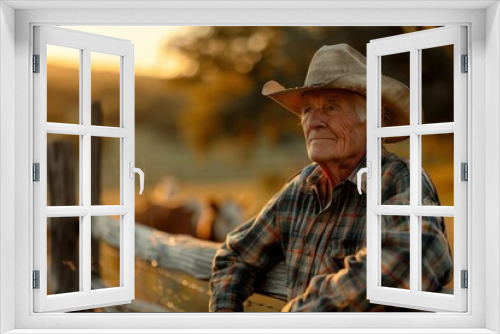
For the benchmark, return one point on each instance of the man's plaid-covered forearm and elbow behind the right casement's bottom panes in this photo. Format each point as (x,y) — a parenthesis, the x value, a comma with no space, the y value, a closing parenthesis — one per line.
(346,290)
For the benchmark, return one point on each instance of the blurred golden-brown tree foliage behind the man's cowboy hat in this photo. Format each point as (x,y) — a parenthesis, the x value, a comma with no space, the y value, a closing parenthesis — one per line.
(231,64)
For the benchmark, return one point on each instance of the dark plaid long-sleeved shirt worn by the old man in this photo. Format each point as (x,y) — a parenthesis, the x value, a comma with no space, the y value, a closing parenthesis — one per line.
(323,241)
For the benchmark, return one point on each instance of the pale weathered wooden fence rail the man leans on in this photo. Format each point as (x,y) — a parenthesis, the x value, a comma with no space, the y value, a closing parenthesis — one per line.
(183,253)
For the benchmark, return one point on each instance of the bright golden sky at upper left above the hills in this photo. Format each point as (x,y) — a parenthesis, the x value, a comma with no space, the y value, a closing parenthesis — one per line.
(149,44)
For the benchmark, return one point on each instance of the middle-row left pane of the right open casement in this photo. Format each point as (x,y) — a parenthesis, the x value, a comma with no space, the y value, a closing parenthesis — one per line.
(395,159)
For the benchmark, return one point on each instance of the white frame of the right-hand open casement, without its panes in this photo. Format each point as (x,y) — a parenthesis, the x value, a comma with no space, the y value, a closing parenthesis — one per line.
(413,44)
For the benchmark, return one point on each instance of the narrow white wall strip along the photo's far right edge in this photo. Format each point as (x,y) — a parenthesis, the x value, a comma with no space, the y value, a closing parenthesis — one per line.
(492,152)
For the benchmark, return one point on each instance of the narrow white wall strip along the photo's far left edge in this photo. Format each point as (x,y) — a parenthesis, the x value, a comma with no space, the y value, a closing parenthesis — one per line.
(7,160)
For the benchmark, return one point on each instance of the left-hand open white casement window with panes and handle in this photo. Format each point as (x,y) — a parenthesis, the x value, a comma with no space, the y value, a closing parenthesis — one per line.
(65,205)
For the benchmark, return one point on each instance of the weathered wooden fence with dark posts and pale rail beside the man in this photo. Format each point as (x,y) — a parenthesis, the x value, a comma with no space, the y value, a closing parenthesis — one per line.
(171,254)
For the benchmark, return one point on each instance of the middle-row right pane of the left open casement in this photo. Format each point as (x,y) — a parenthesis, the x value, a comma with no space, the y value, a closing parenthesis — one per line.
(105,171)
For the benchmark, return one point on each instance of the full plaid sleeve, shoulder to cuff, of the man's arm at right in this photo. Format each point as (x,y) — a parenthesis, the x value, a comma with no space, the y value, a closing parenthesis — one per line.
(346,289)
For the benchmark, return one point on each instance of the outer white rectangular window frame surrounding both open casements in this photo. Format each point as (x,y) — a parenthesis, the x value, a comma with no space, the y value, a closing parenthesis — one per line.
(483,124)
